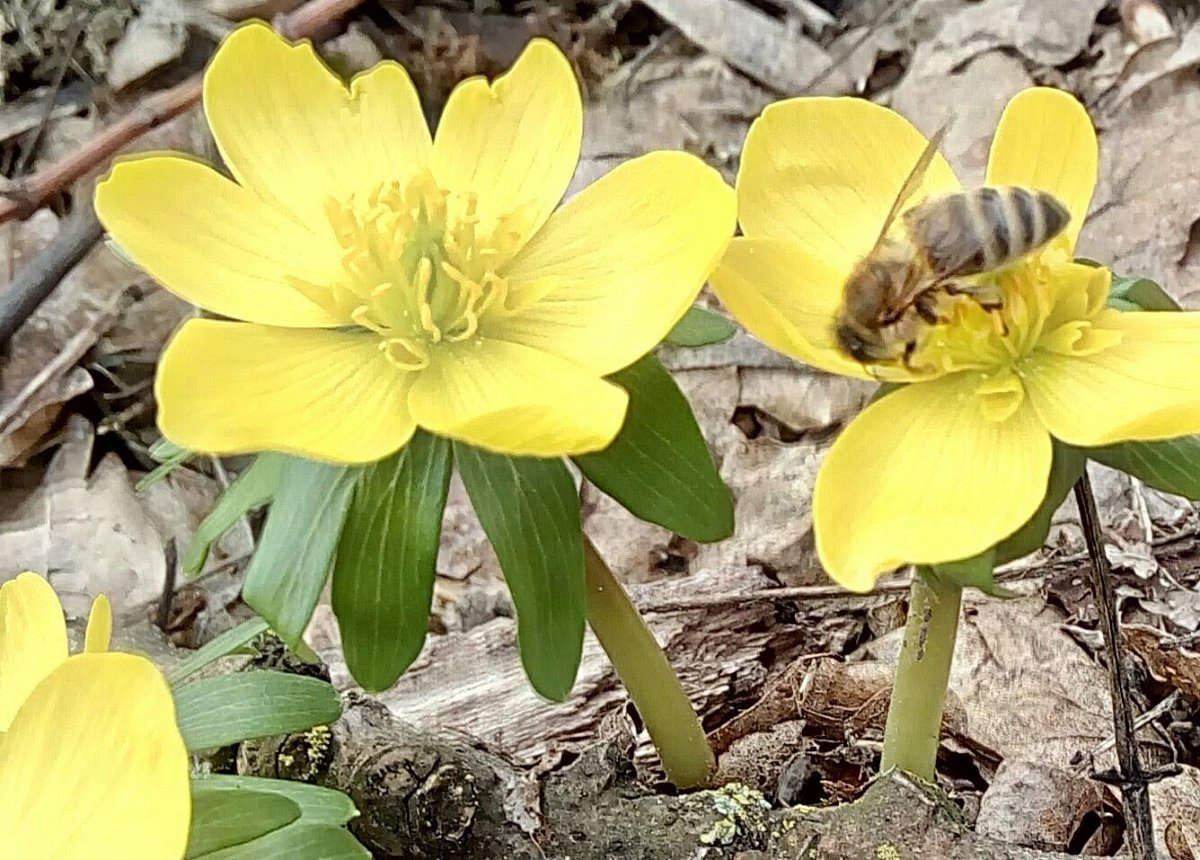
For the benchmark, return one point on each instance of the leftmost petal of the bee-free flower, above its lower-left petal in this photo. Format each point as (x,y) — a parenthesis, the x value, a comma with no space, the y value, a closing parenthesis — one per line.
(213,243)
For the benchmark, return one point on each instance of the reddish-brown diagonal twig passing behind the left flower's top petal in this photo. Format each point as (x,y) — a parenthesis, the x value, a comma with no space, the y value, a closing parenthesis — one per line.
(27,196)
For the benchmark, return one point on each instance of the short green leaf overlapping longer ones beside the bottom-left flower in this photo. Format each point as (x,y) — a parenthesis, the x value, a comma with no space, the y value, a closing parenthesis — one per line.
(225,819)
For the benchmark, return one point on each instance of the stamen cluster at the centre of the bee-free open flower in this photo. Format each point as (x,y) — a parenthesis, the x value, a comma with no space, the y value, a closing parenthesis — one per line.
(418,268)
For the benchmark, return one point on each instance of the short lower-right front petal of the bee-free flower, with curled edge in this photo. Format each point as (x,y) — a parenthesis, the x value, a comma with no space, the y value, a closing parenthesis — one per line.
(512,399)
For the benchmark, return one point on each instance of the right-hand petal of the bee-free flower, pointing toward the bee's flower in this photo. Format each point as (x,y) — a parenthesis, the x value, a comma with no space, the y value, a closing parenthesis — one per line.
(627,256)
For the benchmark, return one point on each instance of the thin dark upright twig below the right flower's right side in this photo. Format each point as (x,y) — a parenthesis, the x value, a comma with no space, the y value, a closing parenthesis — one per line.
(1132,779)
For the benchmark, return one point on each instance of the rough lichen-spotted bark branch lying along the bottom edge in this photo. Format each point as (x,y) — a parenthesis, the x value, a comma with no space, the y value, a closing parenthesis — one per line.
(439,797)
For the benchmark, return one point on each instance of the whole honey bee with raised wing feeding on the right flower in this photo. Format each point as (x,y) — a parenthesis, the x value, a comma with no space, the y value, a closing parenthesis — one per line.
(893,292)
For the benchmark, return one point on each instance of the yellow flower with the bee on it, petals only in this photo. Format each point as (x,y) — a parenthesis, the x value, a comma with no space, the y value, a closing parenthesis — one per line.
(958,459)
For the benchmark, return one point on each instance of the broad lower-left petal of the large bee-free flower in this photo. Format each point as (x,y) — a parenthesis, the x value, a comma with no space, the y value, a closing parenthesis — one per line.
(237,388)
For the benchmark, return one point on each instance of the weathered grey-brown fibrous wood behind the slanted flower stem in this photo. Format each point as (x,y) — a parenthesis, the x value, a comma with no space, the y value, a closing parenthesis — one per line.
(724,654)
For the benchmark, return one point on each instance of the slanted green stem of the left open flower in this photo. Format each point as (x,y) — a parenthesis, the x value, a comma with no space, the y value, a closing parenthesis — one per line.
(647,676)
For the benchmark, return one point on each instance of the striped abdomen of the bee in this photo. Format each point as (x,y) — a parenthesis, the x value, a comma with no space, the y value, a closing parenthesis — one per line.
(973,232)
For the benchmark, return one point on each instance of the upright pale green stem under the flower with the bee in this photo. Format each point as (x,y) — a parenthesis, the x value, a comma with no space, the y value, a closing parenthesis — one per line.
(919,696)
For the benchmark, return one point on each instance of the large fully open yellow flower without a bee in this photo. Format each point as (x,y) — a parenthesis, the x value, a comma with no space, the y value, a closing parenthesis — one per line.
(383,281)
